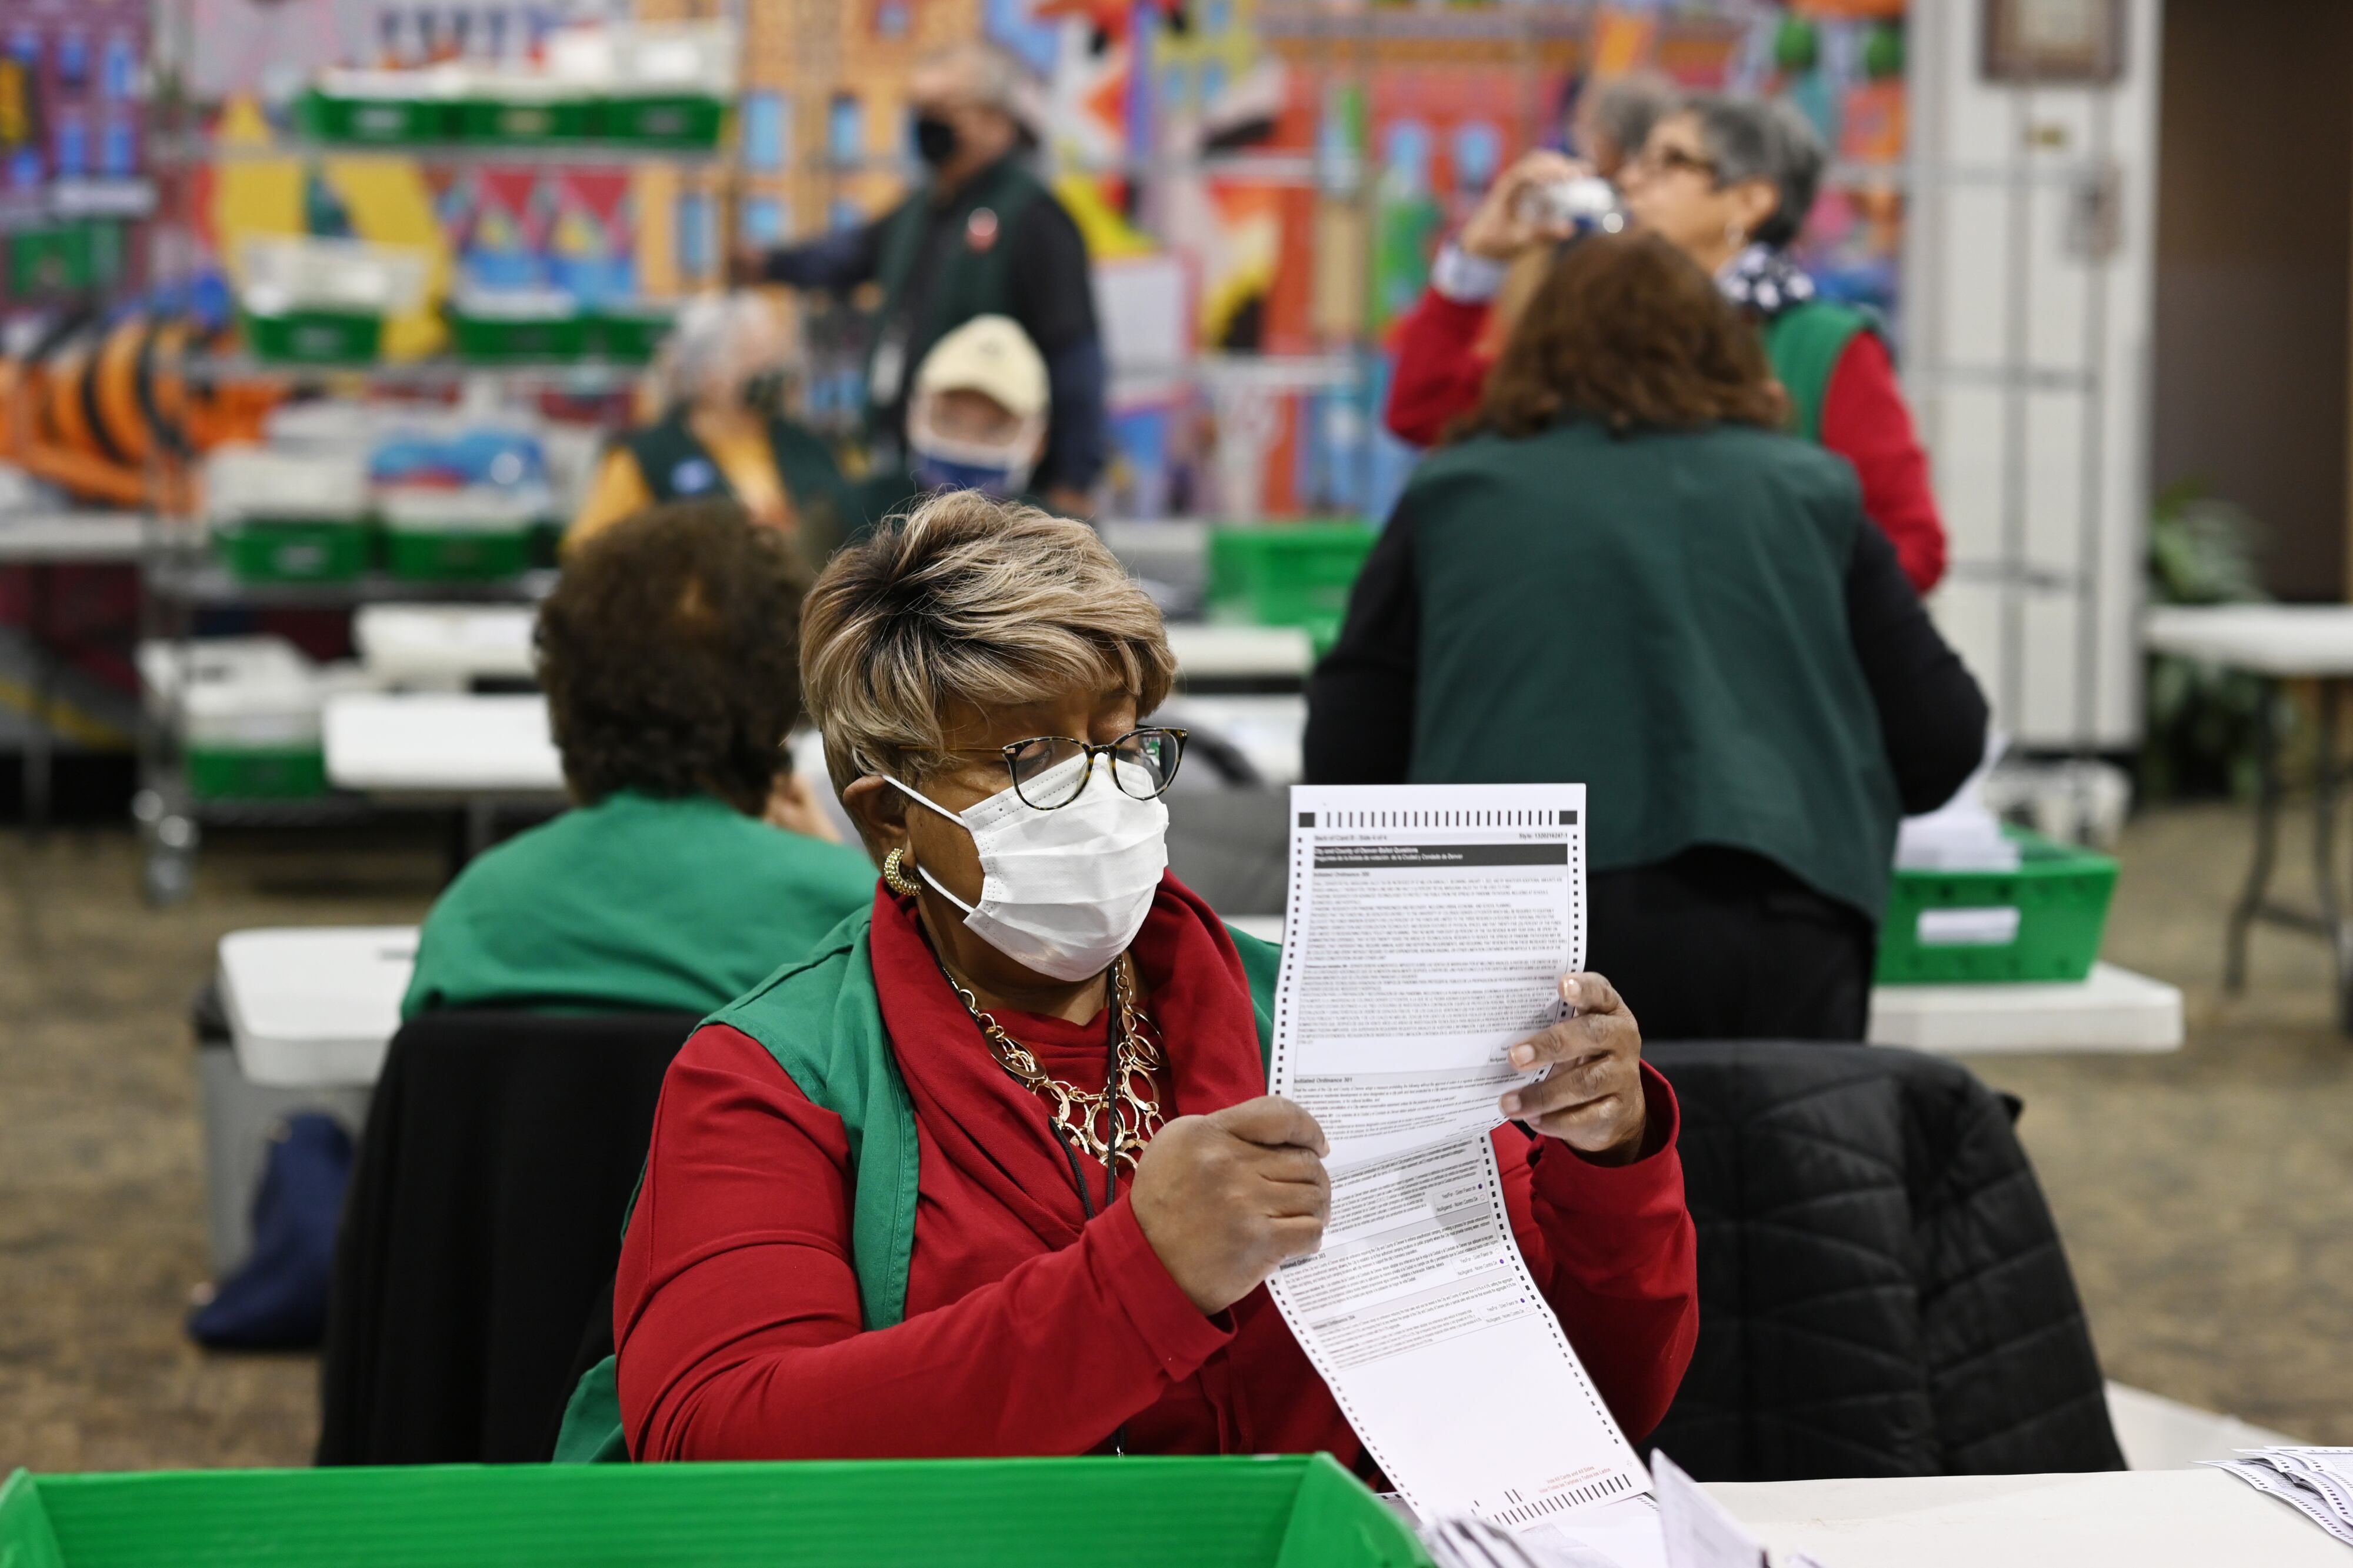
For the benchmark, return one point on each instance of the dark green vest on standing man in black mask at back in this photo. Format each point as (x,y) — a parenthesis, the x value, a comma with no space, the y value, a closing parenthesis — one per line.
(968,281)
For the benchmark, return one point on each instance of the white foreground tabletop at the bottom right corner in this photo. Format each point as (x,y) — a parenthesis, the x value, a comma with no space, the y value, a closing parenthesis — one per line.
(2142,1517)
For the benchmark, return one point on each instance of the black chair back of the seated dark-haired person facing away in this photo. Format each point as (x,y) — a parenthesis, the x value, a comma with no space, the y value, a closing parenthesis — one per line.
(484,1223)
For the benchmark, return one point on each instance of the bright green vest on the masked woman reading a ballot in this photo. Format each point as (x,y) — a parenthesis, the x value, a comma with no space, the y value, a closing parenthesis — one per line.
(825,1025)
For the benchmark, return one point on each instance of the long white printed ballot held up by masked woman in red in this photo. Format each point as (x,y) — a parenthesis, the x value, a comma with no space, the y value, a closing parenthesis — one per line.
(1427,934)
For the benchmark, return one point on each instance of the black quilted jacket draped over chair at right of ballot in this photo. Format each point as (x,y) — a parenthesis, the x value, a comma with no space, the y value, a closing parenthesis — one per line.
(1881,1289)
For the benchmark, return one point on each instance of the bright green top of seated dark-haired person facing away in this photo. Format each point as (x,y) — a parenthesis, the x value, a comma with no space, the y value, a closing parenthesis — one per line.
(634,903)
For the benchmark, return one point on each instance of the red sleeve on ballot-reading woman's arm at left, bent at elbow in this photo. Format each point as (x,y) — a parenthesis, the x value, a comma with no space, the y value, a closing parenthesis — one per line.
(738,1308)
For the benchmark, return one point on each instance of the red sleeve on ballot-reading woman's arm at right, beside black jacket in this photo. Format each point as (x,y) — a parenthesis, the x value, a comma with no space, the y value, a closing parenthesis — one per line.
(1620,1263)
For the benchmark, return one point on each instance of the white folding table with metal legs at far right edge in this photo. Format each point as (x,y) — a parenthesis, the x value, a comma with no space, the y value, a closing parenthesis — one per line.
(2279,644)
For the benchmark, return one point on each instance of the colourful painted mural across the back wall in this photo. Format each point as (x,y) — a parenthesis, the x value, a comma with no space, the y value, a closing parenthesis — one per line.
(1265,182)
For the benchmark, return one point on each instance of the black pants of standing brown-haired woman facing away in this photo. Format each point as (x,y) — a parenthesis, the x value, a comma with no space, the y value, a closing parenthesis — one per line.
(1724,945)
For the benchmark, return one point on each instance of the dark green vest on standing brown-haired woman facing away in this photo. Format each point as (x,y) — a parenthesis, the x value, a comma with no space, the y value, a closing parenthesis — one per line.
(1660,618)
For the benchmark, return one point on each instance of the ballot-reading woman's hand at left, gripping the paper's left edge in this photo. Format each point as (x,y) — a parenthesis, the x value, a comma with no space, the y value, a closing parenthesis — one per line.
(1229,1197)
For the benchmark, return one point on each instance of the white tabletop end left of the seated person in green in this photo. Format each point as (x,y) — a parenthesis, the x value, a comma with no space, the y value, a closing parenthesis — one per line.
(314,1004)
